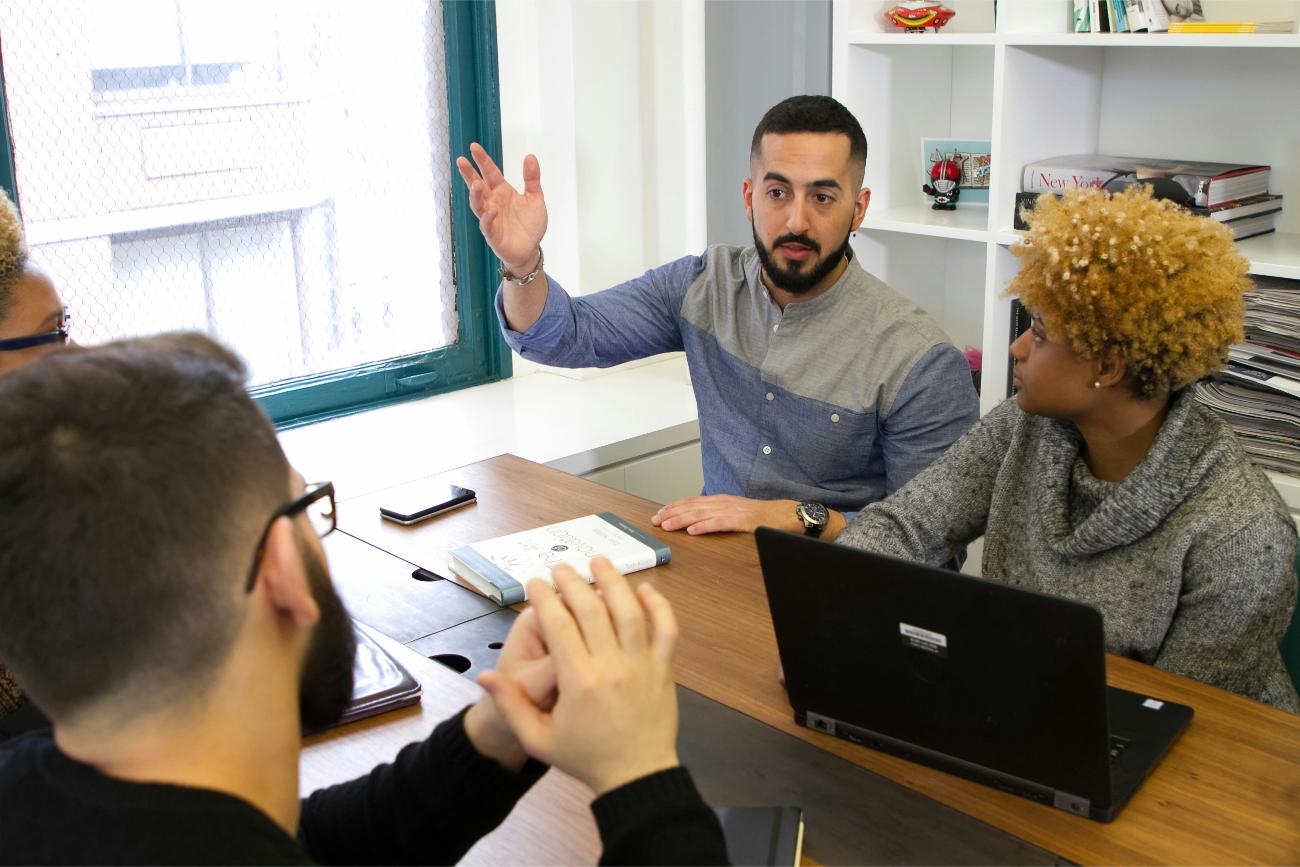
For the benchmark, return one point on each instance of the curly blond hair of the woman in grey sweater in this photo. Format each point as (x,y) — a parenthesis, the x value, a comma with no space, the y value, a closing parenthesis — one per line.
(1137,279)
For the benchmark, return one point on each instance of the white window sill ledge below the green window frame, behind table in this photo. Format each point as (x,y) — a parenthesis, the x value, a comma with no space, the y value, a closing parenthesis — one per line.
(577,426)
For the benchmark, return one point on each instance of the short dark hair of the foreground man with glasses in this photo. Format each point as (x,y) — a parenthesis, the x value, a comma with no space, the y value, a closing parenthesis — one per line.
(136,479)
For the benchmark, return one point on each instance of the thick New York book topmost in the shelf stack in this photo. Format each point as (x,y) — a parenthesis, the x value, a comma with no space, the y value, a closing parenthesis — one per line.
(1204,184)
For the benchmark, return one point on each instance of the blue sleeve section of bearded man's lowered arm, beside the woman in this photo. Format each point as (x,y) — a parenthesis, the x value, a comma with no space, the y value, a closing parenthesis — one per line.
(935,406)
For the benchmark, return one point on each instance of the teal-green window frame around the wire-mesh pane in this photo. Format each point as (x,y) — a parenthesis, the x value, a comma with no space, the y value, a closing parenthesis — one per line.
(480,354)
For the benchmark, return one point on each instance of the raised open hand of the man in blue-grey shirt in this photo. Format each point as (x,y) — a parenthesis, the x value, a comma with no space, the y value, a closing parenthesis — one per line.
(513,224)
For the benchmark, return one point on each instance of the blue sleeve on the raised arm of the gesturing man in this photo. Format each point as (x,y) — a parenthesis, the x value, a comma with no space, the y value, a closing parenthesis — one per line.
(632,320)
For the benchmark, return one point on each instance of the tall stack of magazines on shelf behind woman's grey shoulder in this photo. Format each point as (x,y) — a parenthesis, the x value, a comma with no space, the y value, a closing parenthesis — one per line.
(1259,393)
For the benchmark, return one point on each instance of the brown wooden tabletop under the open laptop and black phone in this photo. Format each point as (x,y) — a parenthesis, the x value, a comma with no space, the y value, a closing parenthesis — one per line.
(1229,792)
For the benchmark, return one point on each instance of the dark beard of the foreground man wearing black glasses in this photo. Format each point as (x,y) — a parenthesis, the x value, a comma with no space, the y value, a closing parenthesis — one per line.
(327,684)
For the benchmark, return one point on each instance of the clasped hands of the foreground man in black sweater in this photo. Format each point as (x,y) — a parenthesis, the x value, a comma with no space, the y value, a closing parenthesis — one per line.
(584,683)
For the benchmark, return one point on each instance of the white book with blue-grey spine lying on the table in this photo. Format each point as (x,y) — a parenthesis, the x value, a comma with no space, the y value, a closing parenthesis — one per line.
(500,569)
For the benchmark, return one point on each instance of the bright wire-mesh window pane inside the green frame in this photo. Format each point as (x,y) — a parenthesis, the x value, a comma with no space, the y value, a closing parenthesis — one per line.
(272,172)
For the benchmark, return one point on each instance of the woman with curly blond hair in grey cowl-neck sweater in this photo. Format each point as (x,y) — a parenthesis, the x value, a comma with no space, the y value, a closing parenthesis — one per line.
(1103,480)
